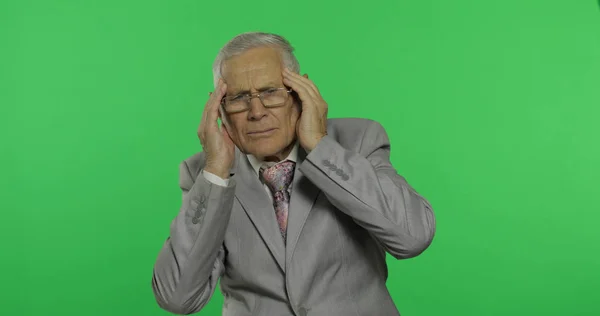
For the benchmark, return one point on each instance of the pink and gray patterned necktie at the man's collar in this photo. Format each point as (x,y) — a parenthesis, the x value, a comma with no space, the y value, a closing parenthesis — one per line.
(278,179)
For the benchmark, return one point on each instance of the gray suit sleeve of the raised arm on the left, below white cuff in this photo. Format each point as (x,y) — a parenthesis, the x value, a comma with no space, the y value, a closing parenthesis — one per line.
(192,258)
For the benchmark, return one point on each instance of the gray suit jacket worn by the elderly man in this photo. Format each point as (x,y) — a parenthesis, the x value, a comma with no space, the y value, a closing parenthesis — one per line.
(348,208)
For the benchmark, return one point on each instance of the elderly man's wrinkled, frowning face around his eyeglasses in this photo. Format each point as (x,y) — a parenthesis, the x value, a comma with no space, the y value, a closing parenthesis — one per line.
(266,133)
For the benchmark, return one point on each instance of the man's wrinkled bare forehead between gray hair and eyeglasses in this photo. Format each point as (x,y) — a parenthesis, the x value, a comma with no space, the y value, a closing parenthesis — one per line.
(256,66)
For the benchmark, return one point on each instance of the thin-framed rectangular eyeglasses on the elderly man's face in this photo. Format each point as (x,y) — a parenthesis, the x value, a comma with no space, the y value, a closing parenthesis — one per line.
(270,98)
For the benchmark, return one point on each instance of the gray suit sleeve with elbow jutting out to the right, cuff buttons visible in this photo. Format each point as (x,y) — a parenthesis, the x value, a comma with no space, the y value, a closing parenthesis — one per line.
(367,187)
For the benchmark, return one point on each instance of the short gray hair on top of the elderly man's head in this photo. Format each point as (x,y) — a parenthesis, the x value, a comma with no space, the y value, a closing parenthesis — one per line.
(246,41)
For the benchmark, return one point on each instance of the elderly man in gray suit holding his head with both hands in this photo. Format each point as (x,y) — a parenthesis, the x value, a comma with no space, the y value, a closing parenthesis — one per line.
(293,212)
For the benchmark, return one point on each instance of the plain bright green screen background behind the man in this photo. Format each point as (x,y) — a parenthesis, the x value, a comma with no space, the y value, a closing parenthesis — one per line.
(492,108)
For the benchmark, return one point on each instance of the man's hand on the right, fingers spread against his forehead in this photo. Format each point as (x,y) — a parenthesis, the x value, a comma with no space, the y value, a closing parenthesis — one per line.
(312,124)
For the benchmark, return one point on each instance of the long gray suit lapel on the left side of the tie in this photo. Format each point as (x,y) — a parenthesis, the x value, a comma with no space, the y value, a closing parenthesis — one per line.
(255,202)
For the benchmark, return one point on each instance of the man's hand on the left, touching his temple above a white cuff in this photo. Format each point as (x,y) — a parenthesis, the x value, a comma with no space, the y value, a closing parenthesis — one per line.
(216,143)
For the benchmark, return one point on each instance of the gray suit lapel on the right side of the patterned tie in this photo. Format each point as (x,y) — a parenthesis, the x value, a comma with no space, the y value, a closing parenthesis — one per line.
(303,196)
